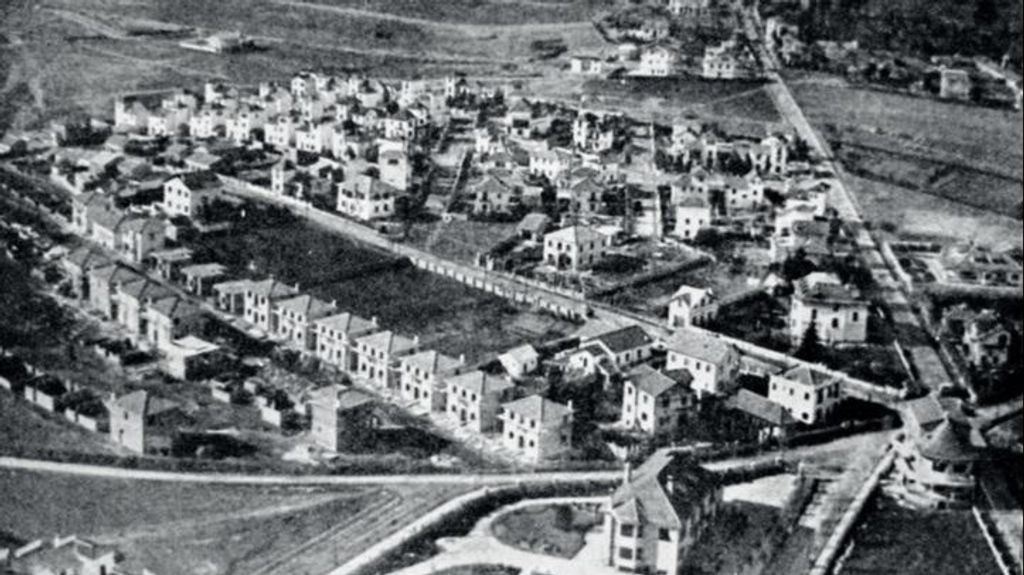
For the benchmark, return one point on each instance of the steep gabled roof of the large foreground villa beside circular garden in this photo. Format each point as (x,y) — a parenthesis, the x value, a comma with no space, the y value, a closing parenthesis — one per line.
(664,492)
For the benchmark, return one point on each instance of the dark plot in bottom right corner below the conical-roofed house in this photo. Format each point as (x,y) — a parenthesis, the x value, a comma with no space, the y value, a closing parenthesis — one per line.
(919,543)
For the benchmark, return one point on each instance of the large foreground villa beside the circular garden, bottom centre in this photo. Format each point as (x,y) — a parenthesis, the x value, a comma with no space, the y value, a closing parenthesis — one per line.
(659,514)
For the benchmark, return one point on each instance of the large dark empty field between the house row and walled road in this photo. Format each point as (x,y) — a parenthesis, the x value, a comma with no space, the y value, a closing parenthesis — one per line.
(371,284)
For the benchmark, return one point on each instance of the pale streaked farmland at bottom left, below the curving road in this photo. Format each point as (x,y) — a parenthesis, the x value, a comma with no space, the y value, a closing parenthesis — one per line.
(191,528)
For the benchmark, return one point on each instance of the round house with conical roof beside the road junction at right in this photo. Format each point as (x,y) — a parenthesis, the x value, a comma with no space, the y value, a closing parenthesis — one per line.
(937,458)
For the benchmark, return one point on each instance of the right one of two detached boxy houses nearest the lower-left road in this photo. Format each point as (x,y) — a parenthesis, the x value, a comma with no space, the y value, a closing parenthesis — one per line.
(344,419)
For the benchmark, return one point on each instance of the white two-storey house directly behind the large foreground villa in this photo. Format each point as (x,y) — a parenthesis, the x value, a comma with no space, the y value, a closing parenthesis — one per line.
(657,403)
